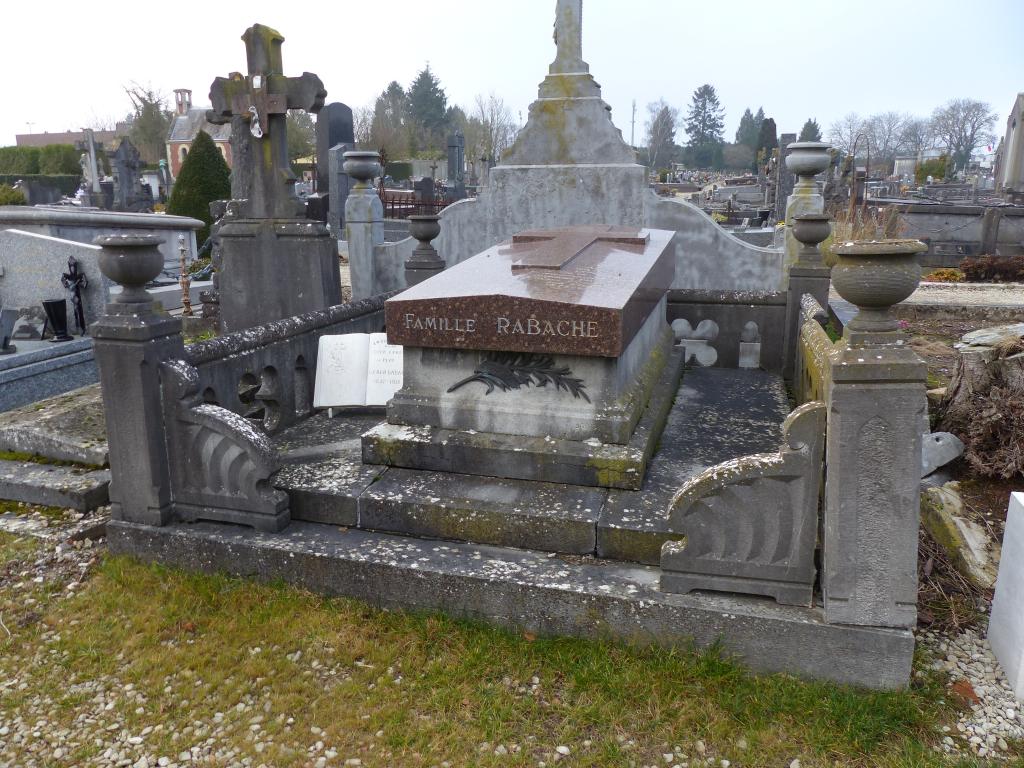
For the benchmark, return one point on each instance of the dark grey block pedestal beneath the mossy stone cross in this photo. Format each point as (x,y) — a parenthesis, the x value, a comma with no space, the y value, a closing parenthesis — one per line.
(276,269)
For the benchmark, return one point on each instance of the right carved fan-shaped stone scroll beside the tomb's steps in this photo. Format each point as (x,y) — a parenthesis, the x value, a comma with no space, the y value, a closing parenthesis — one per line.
(751,524)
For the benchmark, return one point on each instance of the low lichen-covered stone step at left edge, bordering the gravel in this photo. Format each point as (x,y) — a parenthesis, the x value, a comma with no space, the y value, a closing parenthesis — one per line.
(71,488)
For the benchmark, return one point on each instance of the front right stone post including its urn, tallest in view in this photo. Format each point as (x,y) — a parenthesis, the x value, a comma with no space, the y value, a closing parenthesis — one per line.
(876,407)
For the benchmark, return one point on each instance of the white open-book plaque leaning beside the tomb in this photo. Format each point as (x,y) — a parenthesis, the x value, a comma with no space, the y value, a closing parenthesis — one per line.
(357,370)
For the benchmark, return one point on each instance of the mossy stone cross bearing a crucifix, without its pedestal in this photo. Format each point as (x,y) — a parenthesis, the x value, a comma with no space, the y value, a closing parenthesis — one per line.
(263,100)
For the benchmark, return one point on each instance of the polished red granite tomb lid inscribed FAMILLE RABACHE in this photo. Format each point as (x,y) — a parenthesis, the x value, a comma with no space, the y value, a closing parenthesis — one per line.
(581,291)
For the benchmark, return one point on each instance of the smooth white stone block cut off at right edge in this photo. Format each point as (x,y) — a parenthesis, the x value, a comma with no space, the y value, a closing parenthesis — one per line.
(1006,628)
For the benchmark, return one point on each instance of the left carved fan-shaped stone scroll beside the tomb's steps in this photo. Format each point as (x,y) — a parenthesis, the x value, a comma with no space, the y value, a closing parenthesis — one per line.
(222,464)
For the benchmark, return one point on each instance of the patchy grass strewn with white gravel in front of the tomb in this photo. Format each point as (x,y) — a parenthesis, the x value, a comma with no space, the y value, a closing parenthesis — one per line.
(287,678)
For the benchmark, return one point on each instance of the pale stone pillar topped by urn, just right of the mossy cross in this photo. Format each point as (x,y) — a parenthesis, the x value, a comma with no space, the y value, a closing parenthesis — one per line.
(364,222)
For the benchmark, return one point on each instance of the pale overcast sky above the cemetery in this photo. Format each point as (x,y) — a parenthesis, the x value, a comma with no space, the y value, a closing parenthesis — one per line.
(67,64)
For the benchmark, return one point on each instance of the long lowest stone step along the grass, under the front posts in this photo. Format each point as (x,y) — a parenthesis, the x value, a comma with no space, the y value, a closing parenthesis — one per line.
(532,591)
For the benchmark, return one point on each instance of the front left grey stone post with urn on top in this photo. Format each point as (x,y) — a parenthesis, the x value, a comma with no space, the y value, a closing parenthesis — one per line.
(131,342)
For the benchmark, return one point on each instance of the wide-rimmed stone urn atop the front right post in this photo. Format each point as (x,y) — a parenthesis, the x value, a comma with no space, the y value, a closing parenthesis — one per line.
(875,275)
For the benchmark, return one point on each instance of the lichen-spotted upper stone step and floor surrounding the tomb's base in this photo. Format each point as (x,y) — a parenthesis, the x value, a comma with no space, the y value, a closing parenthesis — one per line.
(717,414)
